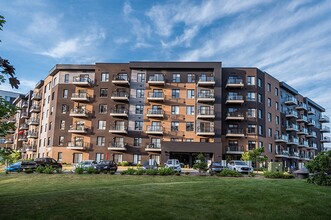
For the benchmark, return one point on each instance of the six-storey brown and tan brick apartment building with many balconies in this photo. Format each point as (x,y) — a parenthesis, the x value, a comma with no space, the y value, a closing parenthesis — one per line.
(160,110)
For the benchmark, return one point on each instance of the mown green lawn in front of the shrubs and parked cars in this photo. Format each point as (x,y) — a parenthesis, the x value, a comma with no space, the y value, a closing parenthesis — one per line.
(101,196)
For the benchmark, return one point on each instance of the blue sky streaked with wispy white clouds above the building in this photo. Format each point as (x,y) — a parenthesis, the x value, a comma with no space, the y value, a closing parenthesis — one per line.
(288,39)
